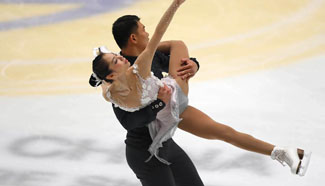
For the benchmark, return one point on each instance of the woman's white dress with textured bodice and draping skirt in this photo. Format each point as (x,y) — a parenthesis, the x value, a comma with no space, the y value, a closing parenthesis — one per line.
(163,128)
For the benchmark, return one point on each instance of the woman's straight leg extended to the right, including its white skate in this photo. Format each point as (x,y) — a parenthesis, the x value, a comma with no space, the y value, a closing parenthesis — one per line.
(196,122)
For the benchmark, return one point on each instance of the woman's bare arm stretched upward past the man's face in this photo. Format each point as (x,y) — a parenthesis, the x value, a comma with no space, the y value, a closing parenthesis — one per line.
(144,60)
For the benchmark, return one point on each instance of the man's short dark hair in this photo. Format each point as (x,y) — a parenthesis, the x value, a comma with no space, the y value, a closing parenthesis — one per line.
(123,27)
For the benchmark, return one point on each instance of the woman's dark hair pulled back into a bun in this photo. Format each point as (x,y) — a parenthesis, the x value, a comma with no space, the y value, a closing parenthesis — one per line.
(101,70)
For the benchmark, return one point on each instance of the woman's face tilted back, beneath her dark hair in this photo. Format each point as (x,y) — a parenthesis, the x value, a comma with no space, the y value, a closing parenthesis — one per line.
(117,63)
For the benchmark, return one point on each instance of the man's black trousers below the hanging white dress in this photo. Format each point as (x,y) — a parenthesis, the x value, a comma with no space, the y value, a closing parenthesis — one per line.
(181,171)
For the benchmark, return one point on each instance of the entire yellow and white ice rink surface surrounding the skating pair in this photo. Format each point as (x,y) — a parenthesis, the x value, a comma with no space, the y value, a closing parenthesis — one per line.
(262,71)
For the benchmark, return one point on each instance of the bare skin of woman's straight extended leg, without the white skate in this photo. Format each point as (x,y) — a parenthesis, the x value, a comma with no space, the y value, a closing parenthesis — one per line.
(198,123)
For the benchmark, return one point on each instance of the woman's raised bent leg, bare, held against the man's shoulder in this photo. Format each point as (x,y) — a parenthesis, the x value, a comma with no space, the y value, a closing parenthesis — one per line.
(178,51)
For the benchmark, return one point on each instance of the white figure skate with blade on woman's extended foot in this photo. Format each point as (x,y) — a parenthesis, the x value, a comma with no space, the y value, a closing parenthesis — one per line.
(297,159)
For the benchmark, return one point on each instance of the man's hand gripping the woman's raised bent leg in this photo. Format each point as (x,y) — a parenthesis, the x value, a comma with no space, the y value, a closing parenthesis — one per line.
(188,69)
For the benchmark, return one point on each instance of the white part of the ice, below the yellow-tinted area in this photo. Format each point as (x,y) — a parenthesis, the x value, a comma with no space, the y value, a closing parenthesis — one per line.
(75,140)
